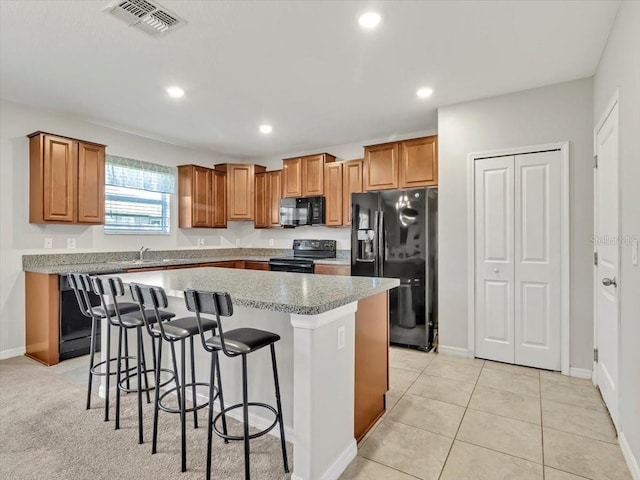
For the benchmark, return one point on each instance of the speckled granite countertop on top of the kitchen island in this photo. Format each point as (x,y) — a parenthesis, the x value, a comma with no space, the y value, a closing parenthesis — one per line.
(299,293)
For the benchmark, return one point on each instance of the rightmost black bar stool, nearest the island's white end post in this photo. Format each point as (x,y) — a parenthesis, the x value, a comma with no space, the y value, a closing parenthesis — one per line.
(237,342)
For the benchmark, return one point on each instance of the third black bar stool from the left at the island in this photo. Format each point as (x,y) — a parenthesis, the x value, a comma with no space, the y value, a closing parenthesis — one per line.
(173,331)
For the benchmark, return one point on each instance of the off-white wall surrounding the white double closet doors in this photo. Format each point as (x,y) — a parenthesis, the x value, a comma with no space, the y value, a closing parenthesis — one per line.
(543,115)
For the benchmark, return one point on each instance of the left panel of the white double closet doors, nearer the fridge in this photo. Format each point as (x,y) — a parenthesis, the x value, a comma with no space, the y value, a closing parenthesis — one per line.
(494,258)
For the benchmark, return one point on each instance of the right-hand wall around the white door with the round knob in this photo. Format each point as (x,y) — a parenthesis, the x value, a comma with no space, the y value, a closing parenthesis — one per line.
(620,68)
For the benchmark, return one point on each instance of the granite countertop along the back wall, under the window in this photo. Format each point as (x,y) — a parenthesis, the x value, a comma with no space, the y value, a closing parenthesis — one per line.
(120,266)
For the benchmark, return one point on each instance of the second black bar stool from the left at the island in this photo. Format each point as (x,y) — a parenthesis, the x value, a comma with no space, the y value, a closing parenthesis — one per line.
(110,288)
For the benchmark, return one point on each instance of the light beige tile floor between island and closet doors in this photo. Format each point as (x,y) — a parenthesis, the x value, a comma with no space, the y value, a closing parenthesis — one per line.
(450,418)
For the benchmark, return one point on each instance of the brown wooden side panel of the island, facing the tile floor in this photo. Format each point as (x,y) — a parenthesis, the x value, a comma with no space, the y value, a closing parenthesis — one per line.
(371,362)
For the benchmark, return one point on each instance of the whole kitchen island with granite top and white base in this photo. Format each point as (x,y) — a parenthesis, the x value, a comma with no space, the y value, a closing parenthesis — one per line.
(328,356)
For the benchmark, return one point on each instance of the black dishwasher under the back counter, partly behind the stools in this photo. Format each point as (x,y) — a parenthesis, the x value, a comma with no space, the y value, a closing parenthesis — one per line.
(75,328)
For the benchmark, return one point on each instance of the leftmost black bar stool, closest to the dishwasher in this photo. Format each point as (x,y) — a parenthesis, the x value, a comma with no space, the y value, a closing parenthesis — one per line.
(81,284)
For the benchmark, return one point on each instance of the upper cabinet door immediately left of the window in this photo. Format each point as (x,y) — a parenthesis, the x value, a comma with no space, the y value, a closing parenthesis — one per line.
(90,183)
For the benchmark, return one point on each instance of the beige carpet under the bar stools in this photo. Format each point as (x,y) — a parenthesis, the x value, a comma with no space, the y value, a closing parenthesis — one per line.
(46,433)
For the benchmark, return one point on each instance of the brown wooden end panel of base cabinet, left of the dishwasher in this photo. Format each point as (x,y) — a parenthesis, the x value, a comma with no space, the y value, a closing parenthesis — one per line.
(41,317)
